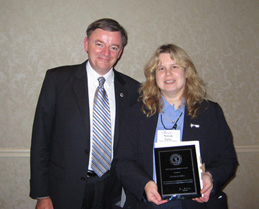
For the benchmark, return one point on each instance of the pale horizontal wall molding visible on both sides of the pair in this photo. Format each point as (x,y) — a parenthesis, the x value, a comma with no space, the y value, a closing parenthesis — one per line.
(26,152)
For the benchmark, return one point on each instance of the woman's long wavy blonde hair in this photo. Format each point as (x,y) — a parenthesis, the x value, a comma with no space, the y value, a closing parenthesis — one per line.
(150,93)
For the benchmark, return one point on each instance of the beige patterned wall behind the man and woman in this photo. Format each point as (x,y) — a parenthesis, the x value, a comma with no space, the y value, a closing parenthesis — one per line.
(221,36)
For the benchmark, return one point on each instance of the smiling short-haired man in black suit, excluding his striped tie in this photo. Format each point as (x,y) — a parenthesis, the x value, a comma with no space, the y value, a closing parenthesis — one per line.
(62,173)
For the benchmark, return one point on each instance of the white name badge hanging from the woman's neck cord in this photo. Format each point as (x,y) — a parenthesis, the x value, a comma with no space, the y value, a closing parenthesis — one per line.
(168,136)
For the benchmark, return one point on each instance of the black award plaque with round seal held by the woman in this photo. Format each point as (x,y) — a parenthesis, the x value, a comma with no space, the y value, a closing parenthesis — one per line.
(178,174)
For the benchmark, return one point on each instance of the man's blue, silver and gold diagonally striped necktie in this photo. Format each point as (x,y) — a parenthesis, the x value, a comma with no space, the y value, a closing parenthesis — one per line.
(101,141)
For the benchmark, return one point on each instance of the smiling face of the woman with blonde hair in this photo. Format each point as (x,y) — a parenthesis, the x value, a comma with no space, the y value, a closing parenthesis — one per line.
(170,77)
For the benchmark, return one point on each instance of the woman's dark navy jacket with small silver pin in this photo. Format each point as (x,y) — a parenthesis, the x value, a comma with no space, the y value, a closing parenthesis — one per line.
(135,156)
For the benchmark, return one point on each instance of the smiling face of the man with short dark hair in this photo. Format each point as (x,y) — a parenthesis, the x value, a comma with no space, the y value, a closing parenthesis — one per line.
(103,48)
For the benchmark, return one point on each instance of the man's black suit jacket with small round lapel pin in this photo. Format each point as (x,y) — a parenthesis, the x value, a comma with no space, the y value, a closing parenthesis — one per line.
(61,134)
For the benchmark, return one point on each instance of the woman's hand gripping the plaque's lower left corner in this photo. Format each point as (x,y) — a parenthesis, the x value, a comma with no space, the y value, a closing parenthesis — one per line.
(152,193)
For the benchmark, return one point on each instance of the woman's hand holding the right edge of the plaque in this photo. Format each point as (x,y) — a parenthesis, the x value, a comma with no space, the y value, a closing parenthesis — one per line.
(207,187)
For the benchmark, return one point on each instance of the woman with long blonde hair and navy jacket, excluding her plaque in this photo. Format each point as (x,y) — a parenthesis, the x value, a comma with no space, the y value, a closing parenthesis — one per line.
(174,108)
